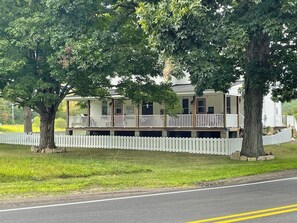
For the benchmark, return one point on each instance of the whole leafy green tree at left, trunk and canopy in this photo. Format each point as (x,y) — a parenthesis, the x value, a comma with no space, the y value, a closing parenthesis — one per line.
(49,49)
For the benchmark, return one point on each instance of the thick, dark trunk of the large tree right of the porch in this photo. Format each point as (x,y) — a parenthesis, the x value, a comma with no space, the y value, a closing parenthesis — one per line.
(255,88)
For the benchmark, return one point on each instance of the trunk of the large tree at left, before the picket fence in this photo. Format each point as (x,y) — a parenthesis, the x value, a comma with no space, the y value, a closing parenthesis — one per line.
(47,130)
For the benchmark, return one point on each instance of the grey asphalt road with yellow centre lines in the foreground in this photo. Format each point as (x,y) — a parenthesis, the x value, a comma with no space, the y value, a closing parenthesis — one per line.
(177,206)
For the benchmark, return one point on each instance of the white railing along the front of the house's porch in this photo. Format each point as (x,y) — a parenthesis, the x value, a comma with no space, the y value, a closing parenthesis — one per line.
(153,121)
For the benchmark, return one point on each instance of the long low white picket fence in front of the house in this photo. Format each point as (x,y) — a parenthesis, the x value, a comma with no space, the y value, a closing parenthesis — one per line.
(190,145)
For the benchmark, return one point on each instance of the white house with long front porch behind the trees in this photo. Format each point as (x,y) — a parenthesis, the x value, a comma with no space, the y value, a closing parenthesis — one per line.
(215,114)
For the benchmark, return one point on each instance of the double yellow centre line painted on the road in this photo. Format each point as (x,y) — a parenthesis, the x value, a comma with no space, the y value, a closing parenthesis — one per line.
(250,215)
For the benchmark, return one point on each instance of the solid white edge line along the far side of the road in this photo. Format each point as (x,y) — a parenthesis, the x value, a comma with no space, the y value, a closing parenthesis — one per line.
(145,195)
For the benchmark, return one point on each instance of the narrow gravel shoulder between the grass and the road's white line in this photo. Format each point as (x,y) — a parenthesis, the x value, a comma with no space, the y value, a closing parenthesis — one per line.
(17,202)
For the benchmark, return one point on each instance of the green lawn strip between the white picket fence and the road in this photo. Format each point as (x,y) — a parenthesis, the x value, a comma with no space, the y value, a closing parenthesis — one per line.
(23,173)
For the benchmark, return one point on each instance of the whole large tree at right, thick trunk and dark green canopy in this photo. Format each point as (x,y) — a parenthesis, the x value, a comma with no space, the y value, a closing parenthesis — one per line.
(218,42)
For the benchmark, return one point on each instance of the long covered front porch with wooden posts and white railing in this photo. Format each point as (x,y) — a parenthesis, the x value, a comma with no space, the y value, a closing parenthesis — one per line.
(212,111)
